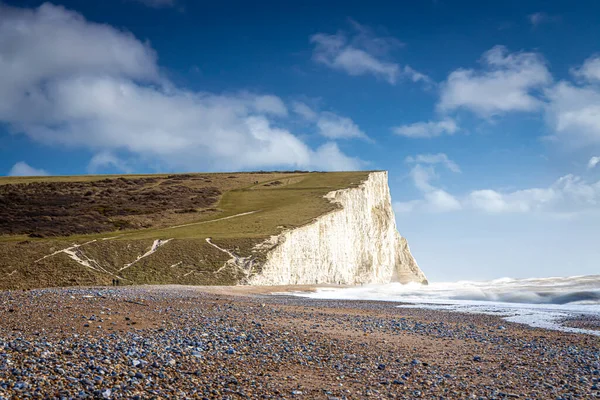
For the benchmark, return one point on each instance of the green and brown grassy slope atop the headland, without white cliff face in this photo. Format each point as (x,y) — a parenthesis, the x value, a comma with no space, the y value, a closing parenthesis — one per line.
(109,221)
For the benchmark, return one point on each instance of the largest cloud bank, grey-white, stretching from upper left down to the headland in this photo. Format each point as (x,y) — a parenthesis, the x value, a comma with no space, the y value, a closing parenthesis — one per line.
(65,81)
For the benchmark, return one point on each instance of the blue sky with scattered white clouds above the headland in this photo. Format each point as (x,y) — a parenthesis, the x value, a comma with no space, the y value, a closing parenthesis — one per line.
(486,114)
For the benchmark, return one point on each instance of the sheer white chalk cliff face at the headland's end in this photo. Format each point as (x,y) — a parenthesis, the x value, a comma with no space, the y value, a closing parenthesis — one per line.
(358,243)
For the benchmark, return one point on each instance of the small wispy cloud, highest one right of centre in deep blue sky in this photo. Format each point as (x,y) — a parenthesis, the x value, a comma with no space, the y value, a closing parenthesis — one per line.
(361,54)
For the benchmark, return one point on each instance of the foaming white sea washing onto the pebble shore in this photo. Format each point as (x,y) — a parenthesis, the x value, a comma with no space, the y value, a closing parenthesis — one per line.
(537,302)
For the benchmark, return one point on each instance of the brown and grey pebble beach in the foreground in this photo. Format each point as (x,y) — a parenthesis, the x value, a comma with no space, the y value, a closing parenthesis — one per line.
(174,342)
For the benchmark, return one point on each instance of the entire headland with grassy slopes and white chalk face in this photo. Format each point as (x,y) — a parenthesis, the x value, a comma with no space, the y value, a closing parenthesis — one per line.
(261,228)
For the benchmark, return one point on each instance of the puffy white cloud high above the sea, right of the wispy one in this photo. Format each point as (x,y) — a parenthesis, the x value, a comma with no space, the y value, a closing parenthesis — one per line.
(507,82)
